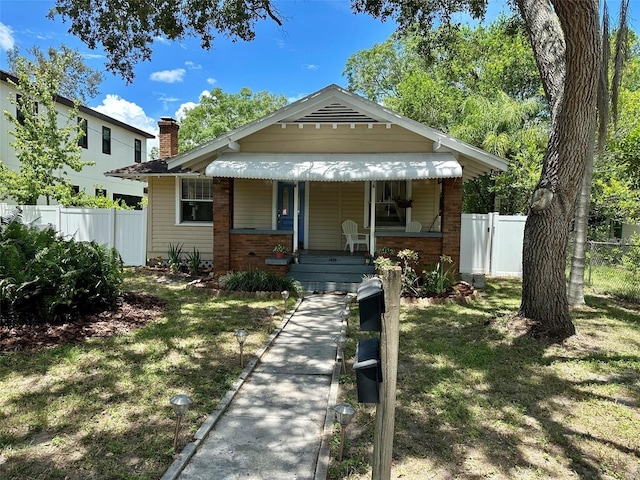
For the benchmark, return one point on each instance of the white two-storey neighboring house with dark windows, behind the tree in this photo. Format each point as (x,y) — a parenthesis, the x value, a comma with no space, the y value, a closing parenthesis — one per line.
(108,142)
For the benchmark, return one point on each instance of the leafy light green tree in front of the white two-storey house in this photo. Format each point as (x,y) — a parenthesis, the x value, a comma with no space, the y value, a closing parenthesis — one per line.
(45,135)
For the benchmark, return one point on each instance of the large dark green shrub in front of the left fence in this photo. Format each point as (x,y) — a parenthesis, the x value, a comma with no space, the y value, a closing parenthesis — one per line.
(46,278)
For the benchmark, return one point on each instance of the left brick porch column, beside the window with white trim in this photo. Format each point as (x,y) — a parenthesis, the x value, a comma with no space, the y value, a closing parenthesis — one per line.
(221,225)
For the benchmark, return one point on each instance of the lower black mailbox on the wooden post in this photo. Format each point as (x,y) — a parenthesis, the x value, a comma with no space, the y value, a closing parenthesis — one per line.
(368,370)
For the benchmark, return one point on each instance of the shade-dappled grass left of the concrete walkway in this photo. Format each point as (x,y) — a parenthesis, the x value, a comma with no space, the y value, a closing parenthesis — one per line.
(101,409)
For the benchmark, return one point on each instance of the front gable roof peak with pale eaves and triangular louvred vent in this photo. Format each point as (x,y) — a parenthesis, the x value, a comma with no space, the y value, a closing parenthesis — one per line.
(332,105)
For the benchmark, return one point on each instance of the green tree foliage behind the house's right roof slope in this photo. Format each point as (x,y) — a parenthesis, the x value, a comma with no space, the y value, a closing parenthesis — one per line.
(460,88)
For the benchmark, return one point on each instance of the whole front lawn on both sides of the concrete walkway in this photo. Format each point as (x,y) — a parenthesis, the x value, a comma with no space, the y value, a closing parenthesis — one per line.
(477,398)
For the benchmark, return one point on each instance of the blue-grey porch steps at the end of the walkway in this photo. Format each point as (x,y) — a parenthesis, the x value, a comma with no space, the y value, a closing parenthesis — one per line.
(330,271)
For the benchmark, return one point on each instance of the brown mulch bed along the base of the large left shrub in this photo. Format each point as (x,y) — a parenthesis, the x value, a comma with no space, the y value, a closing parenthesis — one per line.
(134,311)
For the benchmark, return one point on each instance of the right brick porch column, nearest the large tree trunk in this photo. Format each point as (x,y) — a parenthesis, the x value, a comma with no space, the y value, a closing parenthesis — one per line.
(452,219)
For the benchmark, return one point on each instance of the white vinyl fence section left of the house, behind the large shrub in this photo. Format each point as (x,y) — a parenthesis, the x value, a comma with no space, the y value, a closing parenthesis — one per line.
(126,230)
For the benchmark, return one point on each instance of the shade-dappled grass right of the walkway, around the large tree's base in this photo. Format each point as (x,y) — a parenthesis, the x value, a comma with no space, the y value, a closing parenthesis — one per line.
(479,398)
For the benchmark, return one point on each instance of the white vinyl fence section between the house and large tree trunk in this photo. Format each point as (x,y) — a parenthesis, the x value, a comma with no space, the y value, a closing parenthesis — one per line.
(491,244)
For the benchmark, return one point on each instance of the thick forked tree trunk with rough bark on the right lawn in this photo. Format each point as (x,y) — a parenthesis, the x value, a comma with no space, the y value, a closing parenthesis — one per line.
(571,143)
